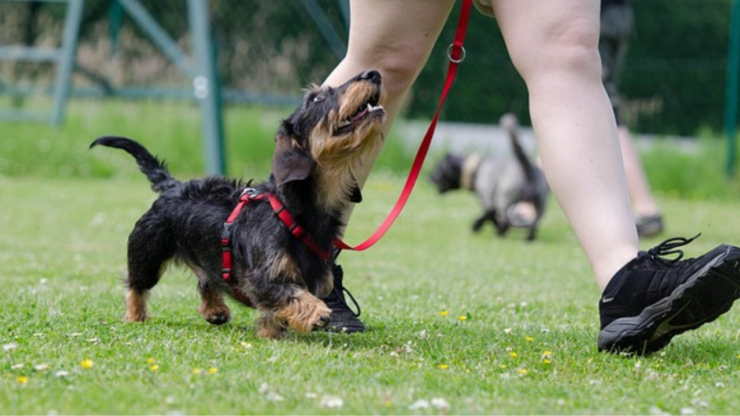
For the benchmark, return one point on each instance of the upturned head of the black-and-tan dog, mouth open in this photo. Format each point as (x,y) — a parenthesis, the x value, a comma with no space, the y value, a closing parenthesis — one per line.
(330,134)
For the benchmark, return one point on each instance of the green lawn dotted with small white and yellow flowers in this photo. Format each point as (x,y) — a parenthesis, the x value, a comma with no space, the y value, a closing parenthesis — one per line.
(466,324)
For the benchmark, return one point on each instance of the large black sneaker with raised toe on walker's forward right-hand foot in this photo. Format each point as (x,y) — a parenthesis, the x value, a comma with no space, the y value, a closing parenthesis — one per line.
(652,299)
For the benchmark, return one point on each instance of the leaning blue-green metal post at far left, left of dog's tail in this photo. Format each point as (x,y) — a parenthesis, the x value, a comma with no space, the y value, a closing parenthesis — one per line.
(67,59)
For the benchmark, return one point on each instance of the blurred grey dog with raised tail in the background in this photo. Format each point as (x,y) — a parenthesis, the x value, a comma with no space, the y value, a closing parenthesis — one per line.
(500,183)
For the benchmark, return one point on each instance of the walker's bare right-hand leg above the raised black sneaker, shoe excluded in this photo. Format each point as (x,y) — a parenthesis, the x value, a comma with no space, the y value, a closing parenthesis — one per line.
(554,47)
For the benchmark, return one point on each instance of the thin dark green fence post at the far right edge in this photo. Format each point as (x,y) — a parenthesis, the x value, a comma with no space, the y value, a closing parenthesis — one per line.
(731,87)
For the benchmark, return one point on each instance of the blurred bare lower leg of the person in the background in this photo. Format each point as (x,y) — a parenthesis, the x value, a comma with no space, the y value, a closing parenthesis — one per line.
(643,202)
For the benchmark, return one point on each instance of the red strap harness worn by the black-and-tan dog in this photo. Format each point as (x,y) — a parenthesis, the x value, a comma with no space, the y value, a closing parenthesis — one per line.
(249,195)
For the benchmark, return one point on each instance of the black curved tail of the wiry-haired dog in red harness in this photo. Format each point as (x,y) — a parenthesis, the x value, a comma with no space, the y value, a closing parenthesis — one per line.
(155,170)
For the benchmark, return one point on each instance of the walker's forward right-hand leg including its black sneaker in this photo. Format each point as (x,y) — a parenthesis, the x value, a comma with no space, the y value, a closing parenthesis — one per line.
(647,299)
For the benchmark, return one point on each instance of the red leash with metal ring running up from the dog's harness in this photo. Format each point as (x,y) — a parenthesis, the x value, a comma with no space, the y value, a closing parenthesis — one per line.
(456,54)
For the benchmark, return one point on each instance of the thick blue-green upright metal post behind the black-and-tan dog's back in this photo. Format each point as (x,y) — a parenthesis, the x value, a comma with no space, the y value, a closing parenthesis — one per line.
(205,87)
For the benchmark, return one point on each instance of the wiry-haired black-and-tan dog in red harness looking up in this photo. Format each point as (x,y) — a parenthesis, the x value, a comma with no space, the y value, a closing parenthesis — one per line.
(282,272)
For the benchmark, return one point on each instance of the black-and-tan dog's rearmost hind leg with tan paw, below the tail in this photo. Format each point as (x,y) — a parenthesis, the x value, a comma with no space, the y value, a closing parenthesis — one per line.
(149,249)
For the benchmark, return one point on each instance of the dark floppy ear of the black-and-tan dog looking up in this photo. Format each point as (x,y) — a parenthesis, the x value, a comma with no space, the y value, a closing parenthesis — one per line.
(290,162)
